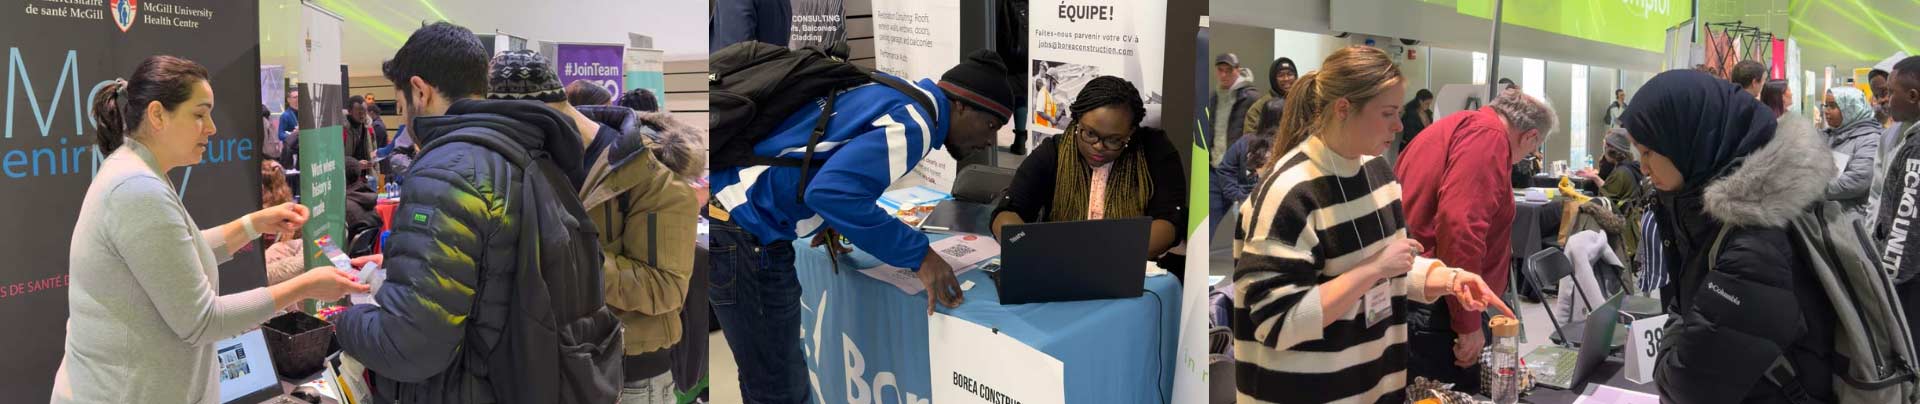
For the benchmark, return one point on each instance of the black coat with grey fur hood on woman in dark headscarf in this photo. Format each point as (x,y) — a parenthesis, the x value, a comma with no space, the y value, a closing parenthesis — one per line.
(1760,301)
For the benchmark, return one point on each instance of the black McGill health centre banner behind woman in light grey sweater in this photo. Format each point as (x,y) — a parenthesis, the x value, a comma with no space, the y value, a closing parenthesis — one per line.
(57,55)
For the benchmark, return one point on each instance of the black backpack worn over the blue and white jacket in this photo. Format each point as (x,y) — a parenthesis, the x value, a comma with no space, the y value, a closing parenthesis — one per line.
(756,88)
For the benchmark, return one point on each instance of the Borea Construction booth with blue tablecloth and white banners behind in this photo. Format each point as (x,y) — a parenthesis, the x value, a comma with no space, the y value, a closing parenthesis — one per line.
(869,340)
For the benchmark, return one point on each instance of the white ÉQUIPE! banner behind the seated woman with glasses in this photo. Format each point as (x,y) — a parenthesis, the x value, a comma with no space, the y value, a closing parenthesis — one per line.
(1074,43)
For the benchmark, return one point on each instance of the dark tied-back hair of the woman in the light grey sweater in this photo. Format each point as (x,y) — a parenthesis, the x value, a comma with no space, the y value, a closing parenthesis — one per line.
(120,107)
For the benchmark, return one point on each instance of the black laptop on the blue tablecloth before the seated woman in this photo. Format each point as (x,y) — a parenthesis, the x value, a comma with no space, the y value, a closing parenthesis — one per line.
(1074,261)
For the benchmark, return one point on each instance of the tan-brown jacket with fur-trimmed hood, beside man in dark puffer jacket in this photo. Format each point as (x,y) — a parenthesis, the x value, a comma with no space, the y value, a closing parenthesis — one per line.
(640,197)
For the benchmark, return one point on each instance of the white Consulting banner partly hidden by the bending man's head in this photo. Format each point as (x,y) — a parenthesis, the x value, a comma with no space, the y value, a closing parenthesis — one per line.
(919,39)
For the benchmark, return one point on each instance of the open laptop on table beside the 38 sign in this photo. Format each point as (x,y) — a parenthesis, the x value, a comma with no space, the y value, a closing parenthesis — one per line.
(1570,370)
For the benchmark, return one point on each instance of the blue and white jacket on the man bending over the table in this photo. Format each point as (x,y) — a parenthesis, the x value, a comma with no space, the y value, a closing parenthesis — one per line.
(875,138)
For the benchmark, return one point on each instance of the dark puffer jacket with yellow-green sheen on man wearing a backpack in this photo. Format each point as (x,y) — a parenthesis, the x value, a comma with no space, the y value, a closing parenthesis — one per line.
(454,228)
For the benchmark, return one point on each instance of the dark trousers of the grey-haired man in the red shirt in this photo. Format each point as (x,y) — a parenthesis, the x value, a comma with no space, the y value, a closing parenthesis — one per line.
(1431,347)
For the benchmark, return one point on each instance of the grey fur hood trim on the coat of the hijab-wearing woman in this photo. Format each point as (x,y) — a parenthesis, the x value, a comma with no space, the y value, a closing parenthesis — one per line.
(1777,182)
